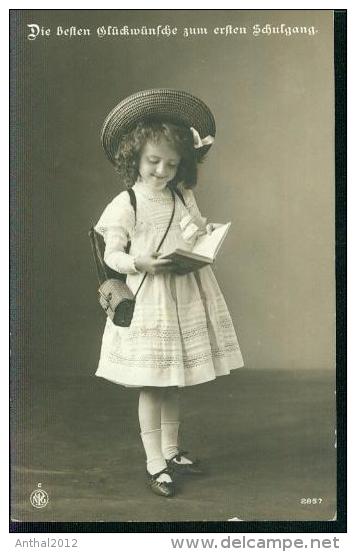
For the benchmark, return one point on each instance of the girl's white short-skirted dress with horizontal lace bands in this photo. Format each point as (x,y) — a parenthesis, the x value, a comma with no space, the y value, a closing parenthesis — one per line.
(181,333)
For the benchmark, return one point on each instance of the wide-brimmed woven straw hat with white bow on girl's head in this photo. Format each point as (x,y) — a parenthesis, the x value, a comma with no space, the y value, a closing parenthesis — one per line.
(165,104)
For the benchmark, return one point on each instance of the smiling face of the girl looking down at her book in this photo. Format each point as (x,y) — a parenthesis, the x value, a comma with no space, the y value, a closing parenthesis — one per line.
(158,163)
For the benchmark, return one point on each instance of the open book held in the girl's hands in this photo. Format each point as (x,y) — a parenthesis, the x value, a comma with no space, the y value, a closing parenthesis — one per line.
(203,253)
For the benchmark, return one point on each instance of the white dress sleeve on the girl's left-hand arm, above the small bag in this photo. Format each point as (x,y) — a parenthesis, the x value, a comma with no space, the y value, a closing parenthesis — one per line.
(116,225)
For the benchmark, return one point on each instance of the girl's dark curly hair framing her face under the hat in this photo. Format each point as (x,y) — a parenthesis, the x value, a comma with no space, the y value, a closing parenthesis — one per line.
(131,145)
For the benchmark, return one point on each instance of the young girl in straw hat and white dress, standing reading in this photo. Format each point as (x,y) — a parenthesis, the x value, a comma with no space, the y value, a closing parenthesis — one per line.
(181,333)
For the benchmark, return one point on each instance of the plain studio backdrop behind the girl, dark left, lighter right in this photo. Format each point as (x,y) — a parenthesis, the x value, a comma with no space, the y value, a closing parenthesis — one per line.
(270,172)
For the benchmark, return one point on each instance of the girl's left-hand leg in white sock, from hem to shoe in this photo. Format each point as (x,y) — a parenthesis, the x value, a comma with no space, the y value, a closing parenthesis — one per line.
(149,413)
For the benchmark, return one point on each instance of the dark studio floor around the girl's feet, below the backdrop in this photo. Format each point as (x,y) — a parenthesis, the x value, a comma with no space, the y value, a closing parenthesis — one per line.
(265,438)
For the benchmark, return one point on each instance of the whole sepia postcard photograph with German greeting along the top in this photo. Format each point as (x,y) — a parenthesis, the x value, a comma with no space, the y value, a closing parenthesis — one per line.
(173,314)
